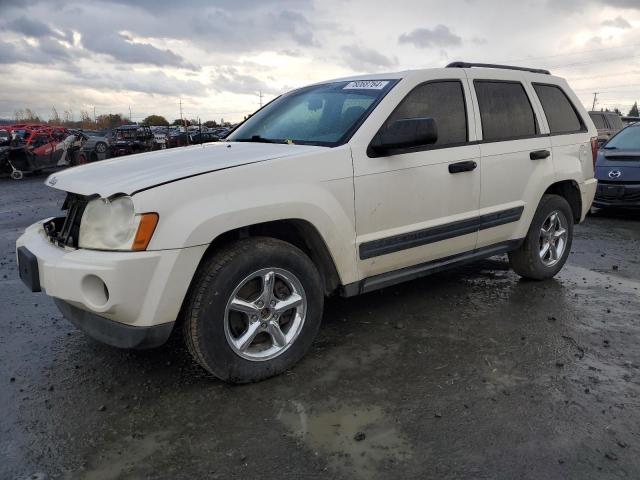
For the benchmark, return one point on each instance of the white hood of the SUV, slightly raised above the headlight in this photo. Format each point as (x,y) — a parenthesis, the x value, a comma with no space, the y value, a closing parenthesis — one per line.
(133,173)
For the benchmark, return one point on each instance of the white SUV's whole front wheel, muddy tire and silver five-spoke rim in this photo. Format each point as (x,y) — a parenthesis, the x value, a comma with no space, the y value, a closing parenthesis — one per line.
(250,271)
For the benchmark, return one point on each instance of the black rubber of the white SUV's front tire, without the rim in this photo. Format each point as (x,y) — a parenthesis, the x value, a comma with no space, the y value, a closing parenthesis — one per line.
(204,315)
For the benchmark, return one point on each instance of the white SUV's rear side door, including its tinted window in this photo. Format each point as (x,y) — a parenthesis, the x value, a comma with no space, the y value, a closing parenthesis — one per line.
(515,155)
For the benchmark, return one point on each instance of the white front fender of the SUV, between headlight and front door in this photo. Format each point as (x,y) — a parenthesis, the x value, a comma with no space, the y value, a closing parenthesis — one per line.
(317,188)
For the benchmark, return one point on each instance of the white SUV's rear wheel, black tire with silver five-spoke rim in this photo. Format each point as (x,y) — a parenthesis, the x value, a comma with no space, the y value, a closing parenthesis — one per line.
(528,261)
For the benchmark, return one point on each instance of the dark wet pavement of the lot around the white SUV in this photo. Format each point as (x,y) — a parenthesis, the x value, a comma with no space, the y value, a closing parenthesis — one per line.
(471,373)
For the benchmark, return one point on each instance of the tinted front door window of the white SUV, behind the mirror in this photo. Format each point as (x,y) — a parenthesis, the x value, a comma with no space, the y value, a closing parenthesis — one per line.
(444,102)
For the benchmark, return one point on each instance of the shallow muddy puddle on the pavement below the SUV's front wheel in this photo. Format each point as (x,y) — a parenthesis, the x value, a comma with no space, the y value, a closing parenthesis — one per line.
(332,433)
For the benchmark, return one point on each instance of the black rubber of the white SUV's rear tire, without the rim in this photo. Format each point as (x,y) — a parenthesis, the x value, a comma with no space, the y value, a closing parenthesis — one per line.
(526,260)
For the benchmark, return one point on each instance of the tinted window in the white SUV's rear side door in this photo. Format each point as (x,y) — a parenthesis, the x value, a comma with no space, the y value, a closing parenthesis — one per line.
(505,111)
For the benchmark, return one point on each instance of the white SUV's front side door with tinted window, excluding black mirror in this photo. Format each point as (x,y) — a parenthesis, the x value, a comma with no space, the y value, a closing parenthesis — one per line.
(420,205)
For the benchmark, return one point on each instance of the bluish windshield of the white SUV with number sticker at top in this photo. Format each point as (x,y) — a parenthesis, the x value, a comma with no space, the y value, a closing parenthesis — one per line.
(325,114)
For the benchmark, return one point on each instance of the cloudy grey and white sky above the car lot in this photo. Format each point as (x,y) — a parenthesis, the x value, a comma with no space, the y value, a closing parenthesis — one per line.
(216,56)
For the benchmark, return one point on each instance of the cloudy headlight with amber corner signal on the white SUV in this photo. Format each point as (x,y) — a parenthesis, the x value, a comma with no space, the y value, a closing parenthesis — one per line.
(113,225)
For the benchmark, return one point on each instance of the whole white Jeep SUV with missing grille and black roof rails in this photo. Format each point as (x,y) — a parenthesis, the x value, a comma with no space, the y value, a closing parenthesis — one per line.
(340,187)
